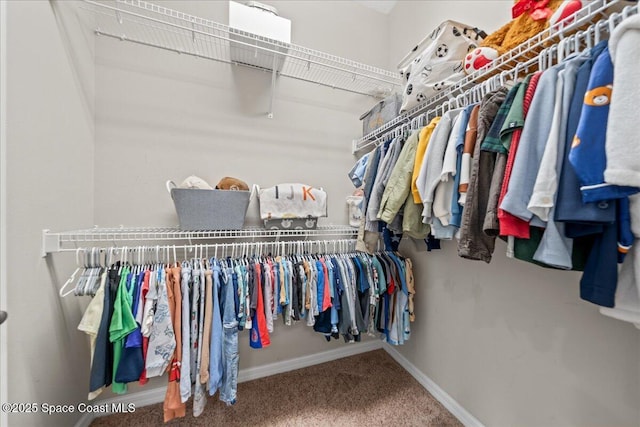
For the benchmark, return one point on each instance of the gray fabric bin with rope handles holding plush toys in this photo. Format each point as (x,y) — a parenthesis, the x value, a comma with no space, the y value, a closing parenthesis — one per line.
(210,209)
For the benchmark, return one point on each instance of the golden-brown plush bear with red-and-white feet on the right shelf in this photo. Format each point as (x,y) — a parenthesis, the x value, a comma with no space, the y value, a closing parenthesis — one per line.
(529,18)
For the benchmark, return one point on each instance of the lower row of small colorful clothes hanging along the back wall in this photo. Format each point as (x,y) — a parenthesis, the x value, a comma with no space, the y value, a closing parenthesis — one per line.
(184,318)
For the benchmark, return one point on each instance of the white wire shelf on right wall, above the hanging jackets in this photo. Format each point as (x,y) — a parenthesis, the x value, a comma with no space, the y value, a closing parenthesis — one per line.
(525,53)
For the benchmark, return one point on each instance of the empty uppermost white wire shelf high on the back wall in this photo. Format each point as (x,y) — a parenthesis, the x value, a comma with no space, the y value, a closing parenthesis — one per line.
(148,24)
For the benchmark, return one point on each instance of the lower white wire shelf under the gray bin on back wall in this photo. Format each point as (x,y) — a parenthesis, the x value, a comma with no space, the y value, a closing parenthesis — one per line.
(70,240)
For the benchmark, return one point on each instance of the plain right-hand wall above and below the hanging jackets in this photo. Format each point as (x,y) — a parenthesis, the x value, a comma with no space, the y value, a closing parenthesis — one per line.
(512,342)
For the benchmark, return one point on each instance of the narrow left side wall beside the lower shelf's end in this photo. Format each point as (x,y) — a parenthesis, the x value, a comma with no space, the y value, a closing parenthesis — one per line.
(49,185)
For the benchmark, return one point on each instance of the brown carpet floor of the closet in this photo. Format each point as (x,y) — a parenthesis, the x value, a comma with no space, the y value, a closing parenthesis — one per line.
(368,389)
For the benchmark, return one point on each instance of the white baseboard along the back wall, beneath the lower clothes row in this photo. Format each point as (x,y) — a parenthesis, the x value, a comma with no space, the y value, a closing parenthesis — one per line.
(156,395)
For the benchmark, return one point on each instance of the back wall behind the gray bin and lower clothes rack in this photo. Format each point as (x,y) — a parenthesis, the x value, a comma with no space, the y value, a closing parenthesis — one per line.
(163,116)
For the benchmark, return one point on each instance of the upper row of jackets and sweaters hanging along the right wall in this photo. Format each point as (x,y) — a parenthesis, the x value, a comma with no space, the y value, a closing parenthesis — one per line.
(548,163)
